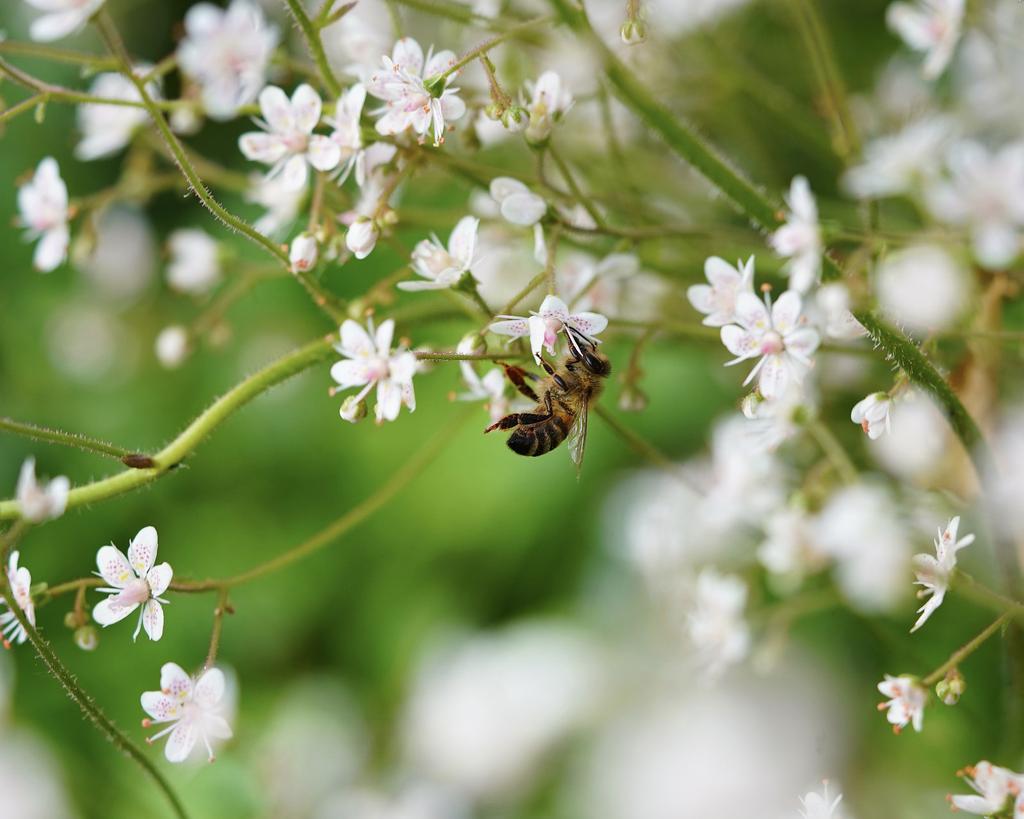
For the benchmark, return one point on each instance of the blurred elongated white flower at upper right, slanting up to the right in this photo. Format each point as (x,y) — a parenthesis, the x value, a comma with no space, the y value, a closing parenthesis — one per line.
(901,163)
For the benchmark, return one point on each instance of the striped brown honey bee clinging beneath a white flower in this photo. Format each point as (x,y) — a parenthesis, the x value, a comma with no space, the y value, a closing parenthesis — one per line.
(564,404)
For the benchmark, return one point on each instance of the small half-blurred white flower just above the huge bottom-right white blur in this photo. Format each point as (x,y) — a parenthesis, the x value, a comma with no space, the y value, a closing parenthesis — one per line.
(717,628)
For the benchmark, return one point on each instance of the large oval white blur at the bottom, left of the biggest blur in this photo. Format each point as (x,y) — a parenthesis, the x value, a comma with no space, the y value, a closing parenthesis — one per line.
(484,715)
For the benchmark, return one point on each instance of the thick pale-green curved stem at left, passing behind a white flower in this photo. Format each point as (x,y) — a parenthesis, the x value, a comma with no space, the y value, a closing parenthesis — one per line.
(184,445)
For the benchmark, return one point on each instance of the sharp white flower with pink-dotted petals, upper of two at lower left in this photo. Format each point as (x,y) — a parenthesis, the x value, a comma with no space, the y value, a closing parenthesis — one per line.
(134,582)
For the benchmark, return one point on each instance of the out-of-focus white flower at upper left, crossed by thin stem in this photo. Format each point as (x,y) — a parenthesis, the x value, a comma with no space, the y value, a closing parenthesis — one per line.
(107,130)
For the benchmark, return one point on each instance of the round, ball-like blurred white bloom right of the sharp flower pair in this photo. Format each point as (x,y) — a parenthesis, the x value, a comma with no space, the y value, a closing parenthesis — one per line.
(923,288)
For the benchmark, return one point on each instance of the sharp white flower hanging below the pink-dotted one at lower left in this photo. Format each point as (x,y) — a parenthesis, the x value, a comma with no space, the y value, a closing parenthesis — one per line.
(193,708)
